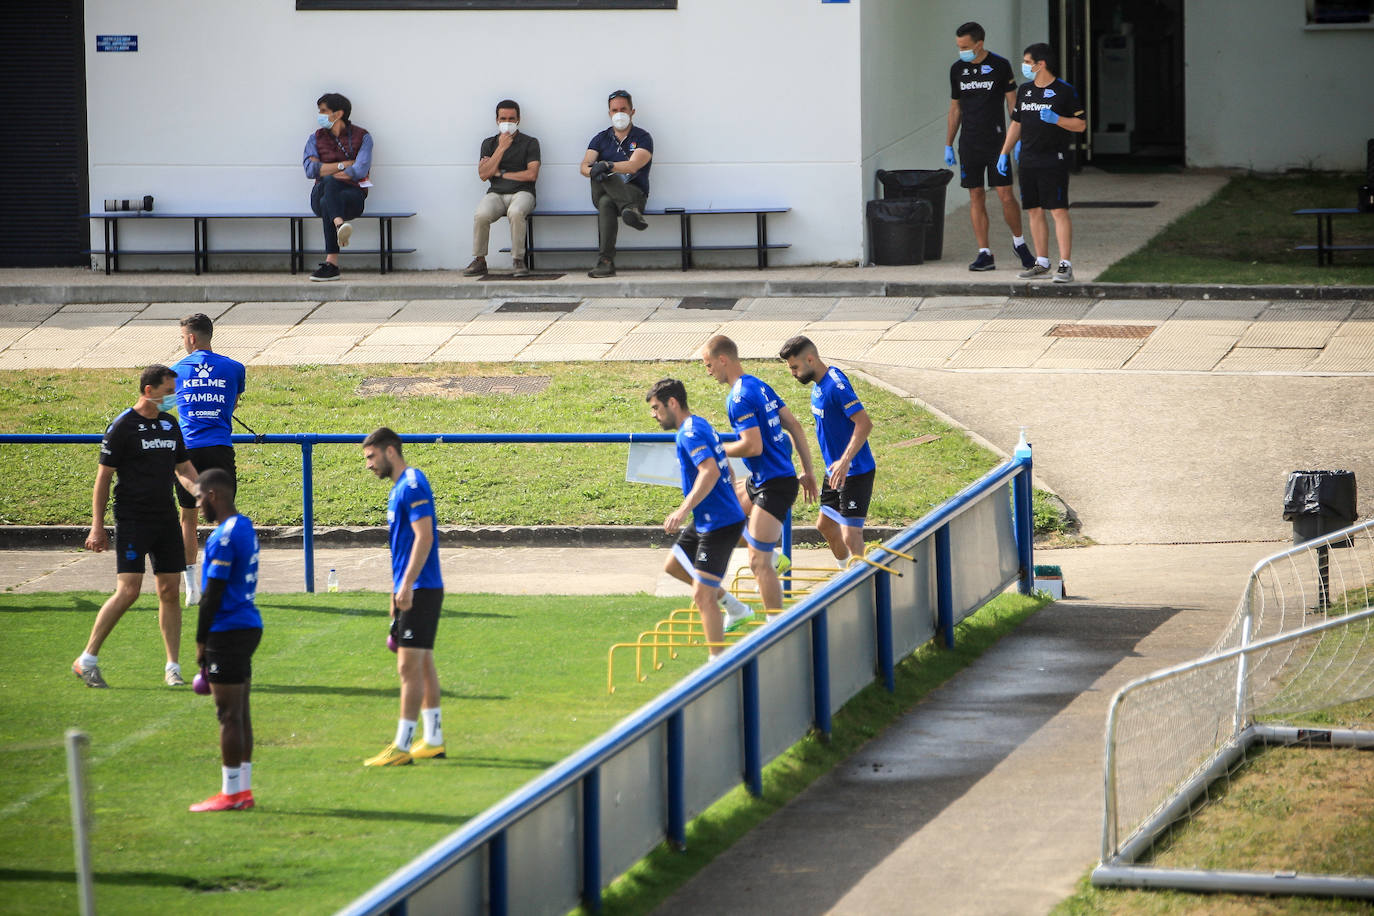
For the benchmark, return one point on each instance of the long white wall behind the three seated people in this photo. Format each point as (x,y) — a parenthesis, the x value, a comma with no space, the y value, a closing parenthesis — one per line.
(748,102)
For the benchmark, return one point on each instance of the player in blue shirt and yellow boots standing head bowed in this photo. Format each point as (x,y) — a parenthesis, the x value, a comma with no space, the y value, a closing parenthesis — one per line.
(417,598)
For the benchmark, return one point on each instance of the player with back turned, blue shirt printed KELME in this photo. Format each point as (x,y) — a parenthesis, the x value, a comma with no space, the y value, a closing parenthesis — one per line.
(208,389)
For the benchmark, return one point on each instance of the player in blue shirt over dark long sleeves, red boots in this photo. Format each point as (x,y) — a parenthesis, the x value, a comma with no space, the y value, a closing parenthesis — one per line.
(227,635)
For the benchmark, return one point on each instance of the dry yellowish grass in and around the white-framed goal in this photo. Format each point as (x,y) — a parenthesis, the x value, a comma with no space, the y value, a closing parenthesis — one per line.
(1284,810)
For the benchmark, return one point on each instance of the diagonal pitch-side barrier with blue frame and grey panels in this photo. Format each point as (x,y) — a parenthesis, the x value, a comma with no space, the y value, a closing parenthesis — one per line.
(564,837)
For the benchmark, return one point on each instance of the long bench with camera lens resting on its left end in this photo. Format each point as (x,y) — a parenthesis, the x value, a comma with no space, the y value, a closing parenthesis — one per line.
(200,249)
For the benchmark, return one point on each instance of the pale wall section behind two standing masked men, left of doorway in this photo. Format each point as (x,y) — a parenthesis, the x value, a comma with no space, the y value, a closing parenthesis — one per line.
(906,54)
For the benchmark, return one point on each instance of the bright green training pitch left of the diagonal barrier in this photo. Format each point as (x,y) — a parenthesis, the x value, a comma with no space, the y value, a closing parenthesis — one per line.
(524,686)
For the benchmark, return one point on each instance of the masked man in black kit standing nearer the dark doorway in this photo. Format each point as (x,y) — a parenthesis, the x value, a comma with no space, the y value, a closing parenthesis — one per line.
(1048,112)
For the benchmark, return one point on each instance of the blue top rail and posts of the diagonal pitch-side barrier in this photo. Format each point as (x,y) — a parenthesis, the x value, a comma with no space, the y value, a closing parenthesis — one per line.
(668,709)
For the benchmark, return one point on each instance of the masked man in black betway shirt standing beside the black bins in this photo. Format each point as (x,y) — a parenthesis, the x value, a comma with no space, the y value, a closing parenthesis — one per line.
(982,89)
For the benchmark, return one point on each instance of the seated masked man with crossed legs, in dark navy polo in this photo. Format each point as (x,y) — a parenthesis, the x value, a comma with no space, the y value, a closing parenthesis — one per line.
(618,164)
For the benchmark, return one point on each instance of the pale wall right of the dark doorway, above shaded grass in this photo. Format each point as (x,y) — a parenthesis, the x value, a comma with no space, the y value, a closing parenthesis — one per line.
(1262,93)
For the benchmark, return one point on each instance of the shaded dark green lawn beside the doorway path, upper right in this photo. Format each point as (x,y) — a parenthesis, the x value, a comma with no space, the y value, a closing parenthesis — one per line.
(1247,234)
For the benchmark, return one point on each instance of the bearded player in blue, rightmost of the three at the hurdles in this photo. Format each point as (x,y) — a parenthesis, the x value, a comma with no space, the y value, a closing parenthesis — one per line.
(843,428)
